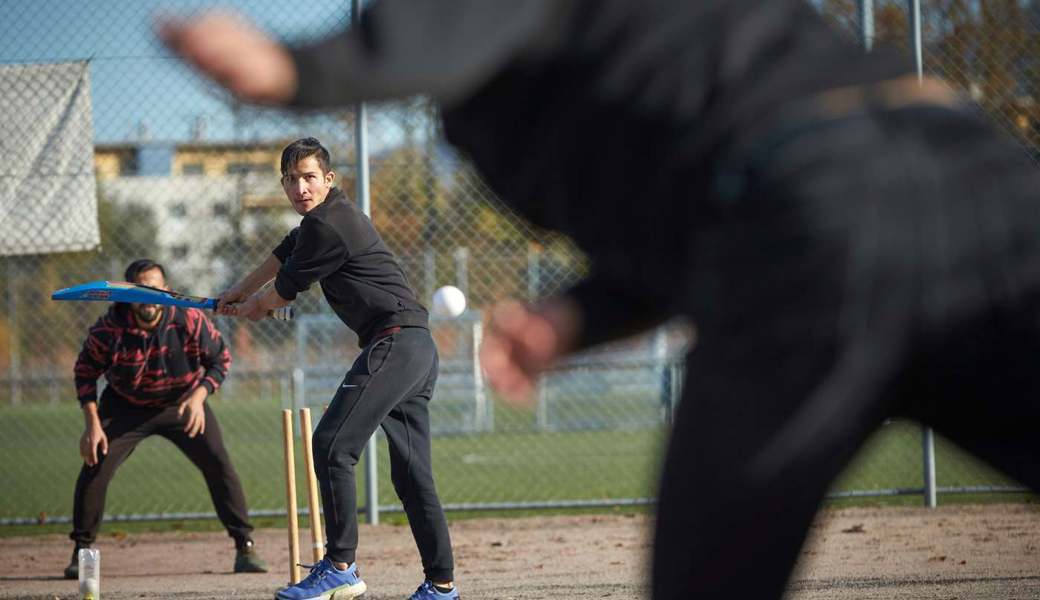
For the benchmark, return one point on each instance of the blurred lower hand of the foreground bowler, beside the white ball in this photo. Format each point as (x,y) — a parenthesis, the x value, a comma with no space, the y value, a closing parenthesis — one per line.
(523,342)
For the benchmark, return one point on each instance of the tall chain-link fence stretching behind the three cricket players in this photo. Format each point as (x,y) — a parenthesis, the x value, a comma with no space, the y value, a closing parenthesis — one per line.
(187,176)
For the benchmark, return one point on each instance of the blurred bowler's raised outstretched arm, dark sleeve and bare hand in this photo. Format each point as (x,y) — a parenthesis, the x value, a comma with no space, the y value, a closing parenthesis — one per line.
(444,49)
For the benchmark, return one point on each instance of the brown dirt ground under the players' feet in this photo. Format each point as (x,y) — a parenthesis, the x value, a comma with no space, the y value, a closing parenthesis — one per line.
(952,553)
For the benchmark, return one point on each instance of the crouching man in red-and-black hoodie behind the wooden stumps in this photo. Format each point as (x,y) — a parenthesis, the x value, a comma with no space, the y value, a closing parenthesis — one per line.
(161,364)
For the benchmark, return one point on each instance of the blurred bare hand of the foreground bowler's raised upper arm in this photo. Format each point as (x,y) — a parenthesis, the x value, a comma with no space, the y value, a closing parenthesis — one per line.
(236,55)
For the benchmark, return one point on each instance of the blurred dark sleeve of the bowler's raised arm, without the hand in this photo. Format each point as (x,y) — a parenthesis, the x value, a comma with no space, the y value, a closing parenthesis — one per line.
(443,49)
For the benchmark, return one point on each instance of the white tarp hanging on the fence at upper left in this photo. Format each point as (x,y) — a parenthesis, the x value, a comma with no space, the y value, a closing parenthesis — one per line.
(48,199)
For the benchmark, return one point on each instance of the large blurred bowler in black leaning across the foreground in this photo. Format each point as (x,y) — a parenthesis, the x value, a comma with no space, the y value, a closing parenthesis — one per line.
(851,244)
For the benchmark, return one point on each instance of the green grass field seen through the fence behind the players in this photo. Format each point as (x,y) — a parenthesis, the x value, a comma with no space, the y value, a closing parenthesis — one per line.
(516,464)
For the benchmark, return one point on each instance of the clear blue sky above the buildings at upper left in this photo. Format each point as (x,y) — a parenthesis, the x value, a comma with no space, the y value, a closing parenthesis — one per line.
(136,84)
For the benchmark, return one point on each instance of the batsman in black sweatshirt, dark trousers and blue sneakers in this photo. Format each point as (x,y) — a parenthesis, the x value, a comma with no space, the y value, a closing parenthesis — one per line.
(389,385)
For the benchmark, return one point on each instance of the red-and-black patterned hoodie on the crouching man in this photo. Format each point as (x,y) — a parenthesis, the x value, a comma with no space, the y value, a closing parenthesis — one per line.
(151,368)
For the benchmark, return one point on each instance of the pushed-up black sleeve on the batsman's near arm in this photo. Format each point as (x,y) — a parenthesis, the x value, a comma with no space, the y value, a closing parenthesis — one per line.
(319,252)
